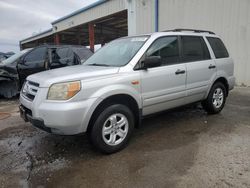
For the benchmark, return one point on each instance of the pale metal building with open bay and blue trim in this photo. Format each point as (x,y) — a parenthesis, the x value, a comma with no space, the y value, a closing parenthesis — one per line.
(106,20)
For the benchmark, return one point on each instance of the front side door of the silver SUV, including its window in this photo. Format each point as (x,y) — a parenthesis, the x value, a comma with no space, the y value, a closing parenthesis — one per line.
(163,87)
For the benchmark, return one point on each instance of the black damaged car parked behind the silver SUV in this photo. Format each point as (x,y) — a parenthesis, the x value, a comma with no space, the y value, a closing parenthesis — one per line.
(39,59)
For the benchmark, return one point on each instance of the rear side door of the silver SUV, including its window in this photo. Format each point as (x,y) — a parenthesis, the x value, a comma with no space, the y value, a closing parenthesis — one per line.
(201,69)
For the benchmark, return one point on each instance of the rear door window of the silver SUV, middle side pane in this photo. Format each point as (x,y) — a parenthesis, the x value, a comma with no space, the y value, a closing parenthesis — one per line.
(194,49)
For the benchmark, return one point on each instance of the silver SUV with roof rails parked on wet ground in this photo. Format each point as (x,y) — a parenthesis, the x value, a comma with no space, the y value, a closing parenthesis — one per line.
(128,79)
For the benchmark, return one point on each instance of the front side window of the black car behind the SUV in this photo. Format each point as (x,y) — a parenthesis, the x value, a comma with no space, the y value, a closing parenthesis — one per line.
(37,54)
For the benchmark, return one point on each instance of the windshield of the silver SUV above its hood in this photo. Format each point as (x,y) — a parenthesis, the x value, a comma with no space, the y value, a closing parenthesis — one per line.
(117,53)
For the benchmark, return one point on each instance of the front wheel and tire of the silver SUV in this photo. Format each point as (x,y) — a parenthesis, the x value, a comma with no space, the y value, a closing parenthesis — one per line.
(112,129)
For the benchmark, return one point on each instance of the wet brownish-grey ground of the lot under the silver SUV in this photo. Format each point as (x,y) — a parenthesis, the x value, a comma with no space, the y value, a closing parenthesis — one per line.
(180,148)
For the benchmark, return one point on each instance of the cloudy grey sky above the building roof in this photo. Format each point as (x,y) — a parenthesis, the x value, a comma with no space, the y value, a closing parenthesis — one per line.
(20,19)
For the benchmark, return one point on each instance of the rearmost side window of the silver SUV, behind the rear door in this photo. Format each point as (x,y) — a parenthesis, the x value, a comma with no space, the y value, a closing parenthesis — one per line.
(218,47)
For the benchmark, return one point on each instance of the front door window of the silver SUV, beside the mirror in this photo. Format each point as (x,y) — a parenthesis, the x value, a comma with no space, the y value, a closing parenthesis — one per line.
(167,48)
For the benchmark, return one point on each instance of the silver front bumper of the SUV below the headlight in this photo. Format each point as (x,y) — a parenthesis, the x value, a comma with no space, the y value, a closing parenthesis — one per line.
(63,118)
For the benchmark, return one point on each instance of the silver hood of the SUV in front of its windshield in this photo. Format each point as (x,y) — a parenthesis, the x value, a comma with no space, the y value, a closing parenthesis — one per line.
(78,72)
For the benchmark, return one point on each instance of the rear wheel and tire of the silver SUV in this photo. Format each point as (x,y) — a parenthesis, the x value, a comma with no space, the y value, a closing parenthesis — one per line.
(216,99)
